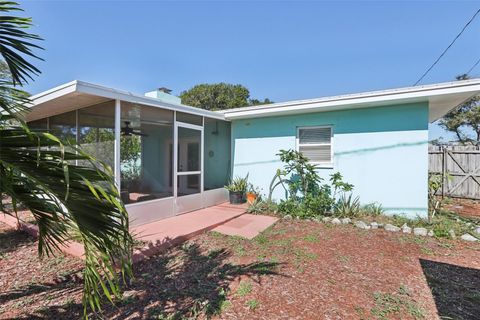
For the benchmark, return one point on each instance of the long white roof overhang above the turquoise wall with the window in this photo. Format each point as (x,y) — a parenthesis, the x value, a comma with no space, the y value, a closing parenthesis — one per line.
(441,98)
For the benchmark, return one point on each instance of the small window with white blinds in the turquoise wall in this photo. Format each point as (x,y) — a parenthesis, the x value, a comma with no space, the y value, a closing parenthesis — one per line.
(315,143)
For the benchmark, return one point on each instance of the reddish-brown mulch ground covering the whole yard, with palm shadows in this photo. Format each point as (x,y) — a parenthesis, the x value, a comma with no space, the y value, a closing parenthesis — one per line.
(294,270)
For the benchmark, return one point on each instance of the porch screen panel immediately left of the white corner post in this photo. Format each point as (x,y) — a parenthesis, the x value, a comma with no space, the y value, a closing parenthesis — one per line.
(96,126)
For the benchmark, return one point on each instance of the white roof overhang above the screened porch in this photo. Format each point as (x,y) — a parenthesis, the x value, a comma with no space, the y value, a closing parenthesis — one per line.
(79,94)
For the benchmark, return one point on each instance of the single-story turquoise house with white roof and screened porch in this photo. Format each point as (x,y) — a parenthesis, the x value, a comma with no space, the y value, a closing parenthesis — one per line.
(169,158)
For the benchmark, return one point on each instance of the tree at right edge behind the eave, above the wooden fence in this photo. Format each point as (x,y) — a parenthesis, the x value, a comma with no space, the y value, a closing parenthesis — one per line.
(464,121)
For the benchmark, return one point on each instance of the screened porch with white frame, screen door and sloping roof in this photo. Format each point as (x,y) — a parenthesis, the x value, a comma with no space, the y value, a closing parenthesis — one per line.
(167,158)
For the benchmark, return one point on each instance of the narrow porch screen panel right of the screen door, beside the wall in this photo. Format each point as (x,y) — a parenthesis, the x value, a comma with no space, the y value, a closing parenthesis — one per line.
(217,163)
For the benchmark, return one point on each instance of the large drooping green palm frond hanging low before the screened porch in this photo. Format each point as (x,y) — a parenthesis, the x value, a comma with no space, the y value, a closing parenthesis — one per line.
(37,170)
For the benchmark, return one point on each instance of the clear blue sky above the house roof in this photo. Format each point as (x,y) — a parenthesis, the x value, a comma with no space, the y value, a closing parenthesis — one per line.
(280,50)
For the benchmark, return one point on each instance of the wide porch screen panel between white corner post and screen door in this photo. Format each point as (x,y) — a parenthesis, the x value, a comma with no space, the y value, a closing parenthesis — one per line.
(146,154)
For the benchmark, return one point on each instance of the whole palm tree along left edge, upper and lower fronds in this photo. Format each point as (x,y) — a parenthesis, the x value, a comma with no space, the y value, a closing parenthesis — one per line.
(36,169)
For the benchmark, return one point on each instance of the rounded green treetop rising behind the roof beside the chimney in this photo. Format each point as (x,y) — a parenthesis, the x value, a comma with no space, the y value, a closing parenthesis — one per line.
(219,96)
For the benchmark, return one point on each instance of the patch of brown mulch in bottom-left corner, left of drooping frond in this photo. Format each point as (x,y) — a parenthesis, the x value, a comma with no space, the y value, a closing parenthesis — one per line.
(29,284)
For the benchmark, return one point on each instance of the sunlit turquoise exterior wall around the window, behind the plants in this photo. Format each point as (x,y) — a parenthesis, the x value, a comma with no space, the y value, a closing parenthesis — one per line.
(383,151)
